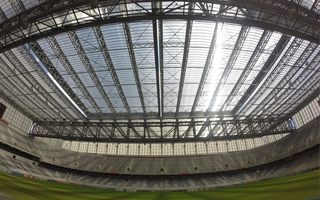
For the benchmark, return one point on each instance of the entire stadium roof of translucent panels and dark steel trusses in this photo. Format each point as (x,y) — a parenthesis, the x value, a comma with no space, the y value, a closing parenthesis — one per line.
(201,68)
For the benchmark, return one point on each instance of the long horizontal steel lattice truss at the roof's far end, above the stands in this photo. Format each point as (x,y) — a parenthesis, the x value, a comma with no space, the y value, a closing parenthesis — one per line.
(109,131)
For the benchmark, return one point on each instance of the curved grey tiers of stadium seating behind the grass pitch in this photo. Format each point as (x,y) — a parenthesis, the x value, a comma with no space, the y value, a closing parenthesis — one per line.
(144,173)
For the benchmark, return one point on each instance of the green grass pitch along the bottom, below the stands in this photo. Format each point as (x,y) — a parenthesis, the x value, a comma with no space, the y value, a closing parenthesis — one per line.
(304,186)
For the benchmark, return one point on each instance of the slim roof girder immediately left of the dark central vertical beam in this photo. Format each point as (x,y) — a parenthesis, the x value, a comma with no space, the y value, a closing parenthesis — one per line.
(134,65)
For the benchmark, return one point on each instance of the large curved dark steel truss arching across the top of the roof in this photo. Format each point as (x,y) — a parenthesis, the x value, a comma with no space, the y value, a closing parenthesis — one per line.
(56,16)
